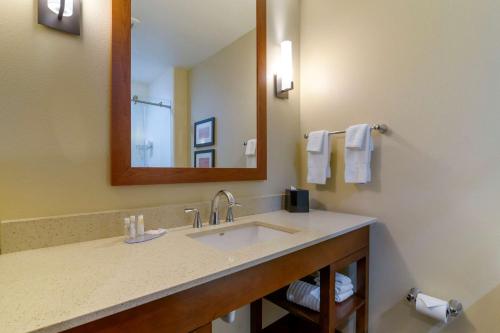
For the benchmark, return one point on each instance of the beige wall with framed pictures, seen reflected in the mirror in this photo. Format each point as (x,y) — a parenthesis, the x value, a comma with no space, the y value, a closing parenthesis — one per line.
(223,86)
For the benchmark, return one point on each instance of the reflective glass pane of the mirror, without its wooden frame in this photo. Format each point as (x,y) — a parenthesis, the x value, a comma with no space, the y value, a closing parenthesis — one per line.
(193,86)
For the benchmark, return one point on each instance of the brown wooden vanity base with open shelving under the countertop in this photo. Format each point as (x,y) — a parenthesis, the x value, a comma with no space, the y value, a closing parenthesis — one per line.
(194,309)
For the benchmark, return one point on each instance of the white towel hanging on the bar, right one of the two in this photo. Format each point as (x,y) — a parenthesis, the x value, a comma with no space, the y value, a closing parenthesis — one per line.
(357,160)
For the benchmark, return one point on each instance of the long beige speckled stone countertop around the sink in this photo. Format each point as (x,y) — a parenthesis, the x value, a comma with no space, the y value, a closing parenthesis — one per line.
(57,288)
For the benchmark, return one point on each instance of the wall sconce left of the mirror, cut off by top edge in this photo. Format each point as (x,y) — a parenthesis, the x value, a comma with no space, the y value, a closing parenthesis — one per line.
(62,15)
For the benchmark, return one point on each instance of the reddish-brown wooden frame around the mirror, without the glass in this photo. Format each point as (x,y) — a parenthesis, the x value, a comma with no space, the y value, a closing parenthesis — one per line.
(122,172)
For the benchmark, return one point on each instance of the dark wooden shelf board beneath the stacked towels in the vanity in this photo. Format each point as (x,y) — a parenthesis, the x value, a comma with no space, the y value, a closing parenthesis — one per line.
(342,310)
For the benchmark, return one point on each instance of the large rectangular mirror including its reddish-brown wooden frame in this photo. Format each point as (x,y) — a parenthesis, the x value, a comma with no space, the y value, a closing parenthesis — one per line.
(189,91)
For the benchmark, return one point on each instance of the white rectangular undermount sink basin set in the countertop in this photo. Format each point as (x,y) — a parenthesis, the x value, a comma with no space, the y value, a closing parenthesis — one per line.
(238,236)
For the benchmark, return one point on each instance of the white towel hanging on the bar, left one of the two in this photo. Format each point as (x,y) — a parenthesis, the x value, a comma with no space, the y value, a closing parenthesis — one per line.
(318,157)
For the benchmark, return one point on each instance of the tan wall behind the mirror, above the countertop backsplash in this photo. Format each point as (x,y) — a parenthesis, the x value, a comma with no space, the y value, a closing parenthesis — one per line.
(54,120)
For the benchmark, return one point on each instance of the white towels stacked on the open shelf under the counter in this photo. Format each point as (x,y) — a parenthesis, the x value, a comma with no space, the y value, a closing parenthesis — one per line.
(308,295)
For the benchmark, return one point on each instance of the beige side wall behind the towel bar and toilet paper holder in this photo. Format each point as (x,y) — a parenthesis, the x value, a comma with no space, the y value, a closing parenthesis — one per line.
(430,70)
